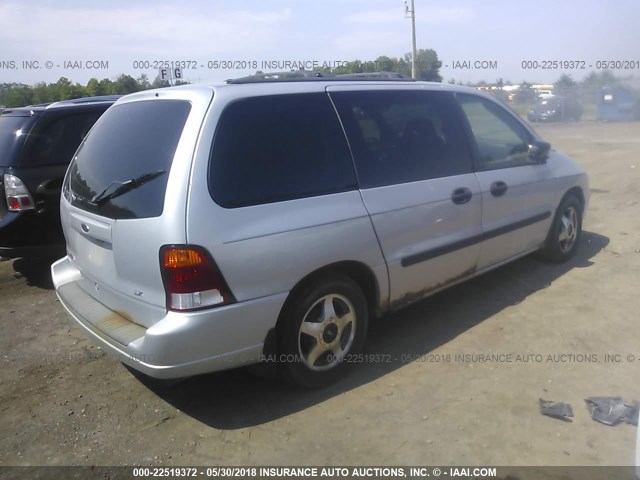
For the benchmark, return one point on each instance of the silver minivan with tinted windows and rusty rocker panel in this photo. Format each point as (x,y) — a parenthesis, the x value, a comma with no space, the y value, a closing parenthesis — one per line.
(268,220)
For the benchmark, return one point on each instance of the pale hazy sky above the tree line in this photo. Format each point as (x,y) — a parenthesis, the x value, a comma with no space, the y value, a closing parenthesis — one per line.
(122,32)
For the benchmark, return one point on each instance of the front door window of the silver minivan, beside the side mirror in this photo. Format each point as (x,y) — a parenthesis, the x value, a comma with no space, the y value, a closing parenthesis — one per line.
(502,142)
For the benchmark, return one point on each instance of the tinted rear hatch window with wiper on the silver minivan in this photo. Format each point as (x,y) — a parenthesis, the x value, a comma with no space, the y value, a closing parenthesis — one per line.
(121,169)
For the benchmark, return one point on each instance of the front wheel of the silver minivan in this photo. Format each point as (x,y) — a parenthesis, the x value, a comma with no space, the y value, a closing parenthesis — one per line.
(565,232)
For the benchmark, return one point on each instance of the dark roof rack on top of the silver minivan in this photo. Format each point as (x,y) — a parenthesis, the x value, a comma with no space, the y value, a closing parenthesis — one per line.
(306,76)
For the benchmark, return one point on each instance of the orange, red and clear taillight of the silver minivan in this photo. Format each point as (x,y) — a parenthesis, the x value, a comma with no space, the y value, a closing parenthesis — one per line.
(192,279)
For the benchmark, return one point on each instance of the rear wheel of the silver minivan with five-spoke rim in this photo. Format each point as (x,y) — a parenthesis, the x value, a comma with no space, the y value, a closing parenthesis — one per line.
(324,324)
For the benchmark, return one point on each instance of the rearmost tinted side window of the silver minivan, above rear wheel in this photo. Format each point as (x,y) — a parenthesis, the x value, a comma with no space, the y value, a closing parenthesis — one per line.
(279,147)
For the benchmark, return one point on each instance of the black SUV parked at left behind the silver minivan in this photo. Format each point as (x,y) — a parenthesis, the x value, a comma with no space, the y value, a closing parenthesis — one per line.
(36,145)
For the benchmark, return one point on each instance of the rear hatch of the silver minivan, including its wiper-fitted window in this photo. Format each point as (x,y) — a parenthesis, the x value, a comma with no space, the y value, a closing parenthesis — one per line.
(124,196)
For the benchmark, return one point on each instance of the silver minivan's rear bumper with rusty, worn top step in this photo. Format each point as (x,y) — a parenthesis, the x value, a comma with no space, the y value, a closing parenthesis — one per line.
(178,345)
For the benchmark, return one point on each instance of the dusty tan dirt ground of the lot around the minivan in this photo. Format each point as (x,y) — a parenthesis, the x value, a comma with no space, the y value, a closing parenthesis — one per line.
(64,402)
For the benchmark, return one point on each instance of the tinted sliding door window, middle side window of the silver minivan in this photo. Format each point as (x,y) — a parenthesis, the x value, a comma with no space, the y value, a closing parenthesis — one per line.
(403,136)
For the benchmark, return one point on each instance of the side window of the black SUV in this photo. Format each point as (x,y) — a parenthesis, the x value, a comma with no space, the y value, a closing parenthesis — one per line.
(54,139)
